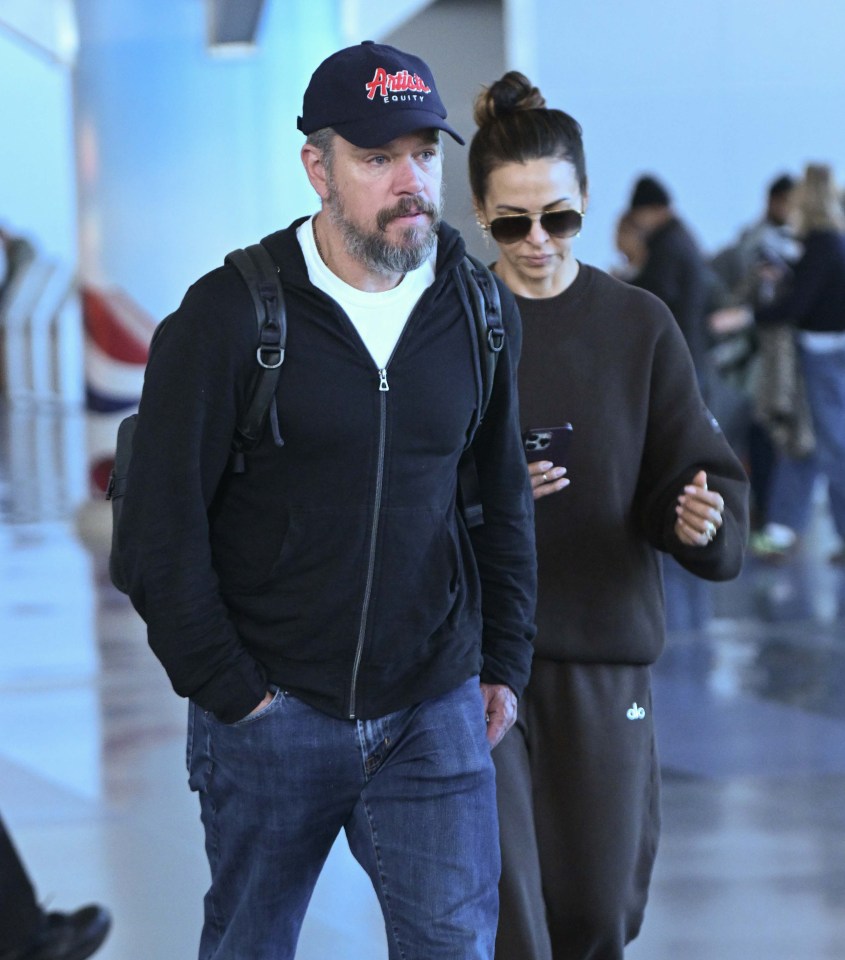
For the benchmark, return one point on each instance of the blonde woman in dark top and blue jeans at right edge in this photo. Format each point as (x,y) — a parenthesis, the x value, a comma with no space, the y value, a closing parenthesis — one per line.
(814,302)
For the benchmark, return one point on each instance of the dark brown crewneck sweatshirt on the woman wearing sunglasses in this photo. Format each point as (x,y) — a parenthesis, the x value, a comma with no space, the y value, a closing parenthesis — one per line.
(610,359)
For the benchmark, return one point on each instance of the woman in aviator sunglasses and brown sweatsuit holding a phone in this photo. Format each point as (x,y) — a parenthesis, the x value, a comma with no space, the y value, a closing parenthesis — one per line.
(651,471)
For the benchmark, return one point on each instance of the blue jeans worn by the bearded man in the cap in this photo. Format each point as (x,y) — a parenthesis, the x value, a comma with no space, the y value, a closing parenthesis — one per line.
(414,791)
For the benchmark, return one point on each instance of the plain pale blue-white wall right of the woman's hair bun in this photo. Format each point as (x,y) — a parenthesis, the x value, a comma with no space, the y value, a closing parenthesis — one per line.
(716,98)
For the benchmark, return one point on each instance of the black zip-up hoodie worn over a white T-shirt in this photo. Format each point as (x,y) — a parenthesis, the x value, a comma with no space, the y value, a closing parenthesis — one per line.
(337,566)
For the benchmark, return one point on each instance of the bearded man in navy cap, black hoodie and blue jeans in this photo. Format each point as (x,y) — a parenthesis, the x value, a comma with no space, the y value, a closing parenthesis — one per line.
(341,634)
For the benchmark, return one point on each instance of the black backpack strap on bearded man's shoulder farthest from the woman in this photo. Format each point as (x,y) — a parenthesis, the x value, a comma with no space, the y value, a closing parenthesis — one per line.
(261,276)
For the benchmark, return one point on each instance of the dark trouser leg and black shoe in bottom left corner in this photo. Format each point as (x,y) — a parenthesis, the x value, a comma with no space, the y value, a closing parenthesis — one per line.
(28,932)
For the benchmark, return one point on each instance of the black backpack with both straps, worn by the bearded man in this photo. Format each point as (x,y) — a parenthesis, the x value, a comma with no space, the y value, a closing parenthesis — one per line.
(261,276)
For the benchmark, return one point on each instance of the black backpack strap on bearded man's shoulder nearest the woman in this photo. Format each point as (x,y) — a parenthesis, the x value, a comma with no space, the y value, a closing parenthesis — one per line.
(486,309)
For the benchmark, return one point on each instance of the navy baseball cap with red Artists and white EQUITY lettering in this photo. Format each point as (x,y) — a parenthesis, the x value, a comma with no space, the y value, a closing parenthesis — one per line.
(372,93)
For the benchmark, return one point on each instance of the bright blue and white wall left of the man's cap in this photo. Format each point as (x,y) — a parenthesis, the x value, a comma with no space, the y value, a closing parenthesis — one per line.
(185,154)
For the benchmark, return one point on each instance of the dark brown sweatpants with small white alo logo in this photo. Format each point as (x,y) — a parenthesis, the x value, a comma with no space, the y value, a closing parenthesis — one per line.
(578,789)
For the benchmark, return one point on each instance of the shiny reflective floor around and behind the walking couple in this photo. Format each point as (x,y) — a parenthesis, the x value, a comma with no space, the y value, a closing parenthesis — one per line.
(749,708)
